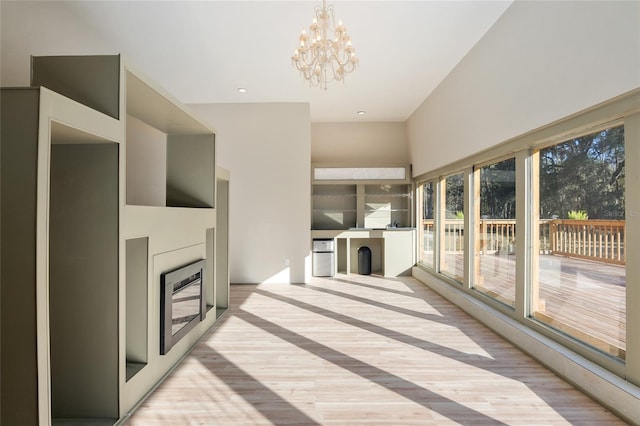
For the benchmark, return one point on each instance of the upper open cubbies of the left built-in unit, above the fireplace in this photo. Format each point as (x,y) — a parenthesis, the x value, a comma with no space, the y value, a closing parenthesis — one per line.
(170,155)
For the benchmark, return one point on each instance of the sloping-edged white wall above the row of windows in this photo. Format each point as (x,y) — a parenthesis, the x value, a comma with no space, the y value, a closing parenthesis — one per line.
(540,62)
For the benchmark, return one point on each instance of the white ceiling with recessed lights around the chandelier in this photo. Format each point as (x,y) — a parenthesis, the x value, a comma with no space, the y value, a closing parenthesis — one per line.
(202,51)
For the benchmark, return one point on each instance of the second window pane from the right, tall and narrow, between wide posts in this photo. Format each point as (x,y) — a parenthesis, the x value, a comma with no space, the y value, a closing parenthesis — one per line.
(496,232)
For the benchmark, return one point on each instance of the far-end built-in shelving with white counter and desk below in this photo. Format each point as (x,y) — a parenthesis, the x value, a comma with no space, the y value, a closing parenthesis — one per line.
(359,206)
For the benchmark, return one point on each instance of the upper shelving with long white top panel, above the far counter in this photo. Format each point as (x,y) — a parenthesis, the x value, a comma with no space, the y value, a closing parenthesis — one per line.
(377,197)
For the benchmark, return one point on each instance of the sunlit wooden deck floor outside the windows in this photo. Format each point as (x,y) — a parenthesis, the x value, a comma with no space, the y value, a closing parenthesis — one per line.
(583,298)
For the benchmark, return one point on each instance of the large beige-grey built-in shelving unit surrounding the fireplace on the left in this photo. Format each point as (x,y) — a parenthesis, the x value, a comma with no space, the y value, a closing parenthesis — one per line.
(116,182)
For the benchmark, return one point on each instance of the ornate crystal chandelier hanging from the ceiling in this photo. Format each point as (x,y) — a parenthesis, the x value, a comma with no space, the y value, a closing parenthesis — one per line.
(325,53)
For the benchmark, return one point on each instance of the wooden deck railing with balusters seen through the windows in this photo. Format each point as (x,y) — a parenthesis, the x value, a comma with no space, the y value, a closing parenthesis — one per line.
(600,240)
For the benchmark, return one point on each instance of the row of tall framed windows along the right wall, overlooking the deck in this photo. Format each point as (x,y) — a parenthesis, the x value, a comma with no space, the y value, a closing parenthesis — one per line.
(536,228)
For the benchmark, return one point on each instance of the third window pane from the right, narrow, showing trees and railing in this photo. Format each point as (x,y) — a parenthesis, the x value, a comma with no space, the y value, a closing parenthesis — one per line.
(452,261)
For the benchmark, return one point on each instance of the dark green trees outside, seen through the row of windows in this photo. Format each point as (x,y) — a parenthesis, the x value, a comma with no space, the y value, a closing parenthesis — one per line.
(582,174)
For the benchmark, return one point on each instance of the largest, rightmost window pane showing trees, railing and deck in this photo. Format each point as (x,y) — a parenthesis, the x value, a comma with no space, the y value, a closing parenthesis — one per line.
(581,282)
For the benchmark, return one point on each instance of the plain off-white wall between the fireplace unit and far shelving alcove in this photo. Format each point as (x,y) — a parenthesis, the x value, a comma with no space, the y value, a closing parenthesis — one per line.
(266,148)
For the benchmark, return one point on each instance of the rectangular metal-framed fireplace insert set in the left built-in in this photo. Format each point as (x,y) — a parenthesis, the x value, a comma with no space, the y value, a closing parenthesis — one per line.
(182,302)
